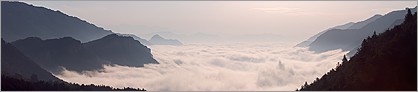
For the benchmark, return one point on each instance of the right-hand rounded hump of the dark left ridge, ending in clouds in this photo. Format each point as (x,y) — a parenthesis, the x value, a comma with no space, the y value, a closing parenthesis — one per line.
(121,50)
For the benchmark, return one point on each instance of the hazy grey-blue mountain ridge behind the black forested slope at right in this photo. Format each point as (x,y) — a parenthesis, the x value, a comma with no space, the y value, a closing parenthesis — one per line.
(350,39)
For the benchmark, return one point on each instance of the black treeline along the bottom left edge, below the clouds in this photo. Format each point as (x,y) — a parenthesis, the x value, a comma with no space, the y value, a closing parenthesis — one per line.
(15,84)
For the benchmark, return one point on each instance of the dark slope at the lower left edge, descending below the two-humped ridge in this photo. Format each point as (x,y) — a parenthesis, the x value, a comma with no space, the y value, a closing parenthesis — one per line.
(14,63)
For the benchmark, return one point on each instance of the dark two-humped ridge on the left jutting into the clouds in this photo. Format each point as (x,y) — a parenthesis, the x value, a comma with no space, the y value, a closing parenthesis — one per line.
(53,54)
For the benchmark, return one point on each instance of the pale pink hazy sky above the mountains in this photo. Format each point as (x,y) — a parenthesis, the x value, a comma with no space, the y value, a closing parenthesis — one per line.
(293,20)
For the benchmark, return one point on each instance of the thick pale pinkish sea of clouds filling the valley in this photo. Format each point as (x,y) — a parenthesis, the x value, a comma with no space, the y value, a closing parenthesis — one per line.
(217,67)
